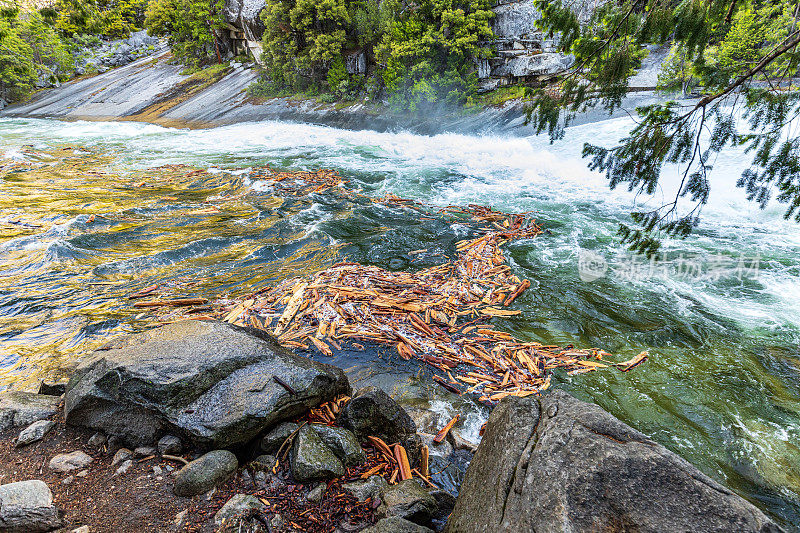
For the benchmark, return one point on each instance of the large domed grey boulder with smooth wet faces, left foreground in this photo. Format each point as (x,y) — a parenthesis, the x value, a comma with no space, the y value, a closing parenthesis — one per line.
(208,380)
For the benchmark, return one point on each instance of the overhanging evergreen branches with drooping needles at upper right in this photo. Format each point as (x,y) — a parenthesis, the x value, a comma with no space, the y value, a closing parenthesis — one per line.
(735,53)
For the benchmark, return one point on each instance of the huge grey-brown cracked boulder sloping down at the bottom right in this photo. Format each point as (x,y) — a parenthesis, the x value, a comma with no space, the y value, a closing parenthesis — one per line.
(562,465)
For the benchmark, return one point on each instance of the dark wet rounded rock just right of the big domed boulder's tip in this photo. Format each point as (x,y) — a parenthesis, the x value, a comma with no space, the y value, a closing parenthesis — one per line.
(373,412)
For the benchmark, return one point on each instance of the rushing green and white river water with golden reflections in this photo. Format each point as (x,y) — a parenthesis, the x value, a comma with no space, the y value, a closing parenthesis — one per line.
(721,387)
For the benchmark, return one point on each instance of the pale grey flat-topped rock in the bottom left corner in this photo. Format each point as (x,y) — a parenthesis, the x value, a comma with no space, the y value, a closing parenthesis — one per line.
(27,506)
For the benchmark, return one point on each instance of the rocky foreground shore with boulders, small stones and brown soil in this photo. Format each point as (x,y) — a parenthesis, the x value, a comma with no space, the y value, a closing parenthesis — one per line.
(204,426)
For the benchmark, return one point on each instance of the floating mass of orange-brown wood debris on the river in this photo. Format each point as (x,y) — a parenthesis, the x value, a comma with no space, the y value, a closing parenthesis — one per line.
(438,315)
